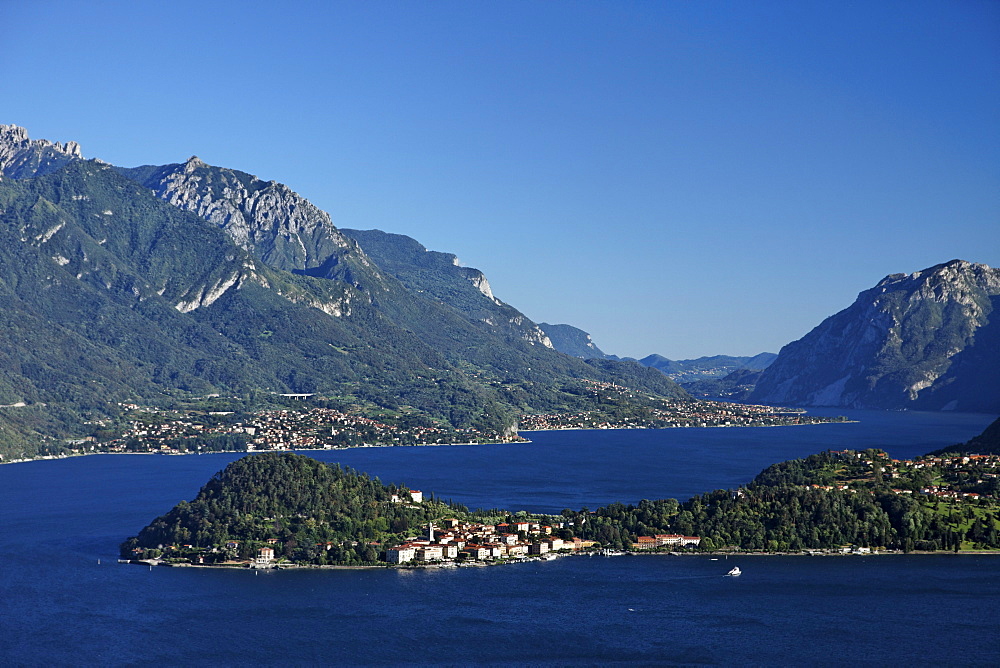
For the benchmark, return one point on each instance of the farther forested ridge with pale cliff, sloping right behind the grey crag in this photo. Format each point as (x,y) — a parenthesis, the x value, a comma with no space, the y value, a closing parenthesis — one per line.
(441,277)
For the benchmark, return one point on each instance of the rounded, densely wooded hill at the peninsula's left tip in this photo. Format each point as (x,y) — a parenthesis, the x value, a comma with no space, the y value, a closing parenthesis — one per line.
(295,500)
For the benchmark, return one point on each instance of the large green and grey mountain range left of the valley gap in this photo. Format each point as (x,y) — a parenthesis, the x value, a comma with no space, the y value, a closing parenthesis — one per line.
(156,283)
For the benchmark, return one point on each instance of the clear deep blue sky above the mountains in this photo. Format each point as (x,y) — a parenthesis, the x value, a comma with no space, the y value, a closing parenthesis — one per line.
(682,178)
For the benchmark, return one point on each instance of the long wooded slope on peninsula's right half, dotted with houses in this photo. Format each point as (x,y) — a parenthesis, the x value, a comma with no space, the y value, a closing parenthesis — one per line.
(825,501)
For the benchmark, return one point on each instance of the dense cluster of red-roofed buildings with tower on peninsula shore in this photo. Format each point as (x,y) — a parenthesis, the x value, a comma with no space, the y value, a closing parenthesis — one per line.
(456,540)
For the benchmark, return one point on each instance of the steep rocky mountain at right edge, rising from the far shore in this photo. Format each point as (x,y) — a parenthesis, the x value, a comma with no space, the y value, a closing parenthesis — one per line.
(927,340)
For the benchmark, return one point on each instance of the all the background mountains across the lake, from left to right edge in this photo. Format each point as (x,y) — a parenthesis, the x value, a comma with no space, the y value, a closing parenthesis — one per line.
(165,283)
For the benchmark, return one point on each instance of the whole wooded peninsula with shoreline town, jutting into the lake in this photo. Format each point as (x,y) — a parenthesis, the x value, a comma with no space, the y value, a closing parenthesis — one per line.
(284,509)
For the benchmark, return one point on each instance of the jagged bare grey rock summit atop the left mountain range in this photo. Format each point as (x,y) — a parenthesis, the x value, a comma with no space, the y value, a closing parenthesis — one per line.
(266,218)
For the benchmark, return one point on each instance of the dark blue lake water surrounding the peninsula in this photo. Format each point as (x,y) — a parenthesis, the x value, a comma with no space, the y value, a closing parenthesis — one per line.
(60,606)
